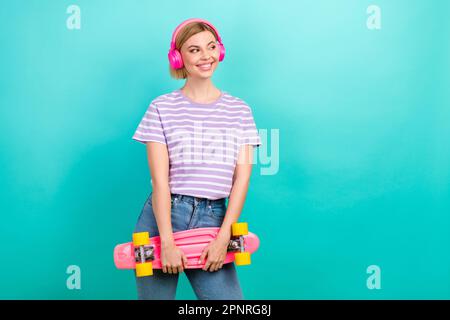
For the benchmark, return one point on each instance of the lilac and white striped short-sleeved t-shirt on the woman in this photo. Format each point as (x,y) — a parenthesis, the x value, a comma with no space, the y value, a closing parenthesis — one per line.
(202,139)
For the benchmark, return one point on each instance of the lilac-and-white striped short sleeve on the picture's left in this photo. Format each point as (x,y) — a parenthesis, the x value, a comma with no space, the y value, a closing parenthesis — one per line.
(150,128)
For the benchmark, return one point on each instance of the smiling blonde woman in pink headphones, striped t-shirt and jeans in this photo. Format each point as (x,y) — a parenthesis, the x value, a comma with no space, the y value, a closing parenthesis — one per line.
(199,143)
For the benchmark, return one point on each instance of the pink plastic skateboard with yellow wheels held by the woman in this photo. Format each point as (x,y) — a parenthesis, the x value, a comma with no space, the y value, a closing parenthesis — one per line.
(143,254)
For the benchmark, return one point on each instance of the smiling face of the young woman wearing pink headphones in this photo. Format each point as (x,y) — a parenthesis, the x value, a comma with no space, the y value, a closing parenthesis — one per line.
(200,54)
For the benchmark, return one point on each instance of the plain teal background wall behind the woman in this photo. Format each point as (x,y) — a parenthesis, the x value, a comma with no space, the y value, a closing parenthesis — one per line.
(364,134)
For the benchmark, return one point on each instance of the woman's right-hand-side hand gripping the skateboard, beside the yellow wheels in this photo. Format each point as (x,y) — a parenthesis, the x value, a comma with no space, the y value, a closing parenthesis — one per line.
(215,253)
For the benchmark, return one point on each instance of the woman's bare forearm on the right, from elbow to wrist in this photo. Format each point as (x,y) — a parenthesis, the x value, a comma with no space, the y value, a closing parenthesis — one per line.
(235,205)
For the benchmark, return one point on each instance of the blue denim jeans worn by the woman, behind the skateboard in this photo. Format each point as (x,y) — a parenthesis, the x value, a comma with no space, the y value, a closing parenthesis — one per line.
(188,212)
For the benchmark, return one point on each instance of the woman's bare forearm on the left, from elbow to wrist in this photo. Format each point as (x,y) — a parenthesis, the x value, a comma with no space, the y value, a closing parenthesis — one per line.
(161,201)
